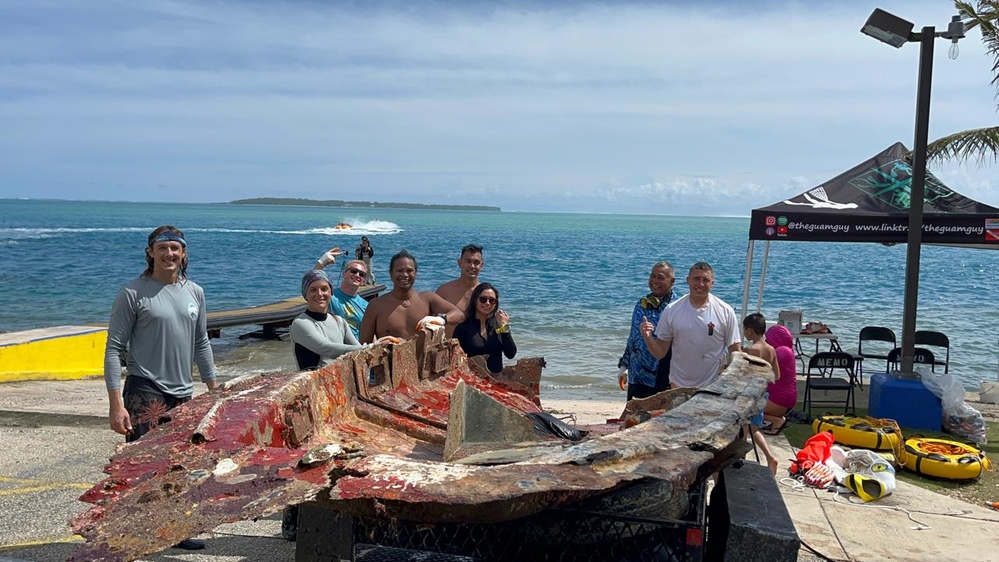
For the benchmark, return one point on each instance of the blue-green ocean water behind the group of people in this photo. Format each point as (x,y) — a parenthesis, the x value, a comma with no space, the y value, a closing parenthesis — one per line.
(568,281)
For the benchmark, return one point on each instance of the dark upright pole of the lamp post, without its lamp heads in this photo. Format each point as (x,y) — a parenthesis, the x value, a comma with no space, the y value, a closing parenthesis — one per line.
(917,188)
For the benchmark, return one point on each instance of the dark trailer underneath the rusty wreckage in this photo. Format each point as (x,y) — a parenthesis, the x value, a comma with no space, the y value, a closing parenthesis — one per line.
(746,520)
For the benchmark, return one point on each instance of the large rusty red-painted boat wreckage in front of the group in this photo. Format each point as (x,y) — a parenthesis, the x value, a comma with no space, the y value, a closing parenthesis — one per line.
(414,431)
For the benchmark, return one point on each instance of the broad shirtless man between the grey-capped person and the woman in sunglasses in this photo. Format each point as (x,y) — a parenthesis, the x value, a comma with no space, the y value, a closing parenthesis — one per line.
(398,312)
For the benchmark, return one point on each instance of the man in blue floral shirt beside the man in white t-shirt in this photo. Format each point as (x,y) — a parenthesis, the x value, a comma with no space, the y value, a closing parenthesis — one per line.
(638,368)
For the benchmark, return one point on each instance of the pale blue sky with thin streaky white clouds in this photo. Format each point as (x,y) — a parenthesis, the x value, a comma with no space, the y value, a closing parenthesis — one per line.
(668,107)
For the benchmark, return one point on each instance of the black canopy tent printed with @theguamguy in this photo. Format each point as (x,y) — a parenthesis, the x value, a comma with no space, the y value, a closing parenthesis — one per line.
(870,203)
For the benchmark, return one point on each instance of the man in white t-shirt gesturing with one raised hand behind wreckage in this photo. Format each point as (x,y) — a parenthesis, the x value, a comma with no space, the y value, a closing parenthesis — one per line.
(700,328)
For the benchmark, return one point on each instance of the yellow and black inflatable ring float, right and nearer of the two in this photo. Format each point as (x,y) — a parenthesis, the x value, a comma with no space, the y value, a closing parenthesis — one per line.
(944,459)
